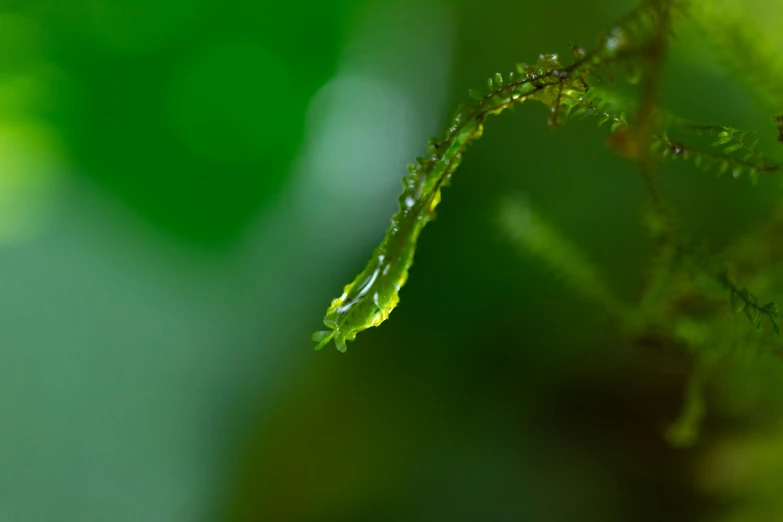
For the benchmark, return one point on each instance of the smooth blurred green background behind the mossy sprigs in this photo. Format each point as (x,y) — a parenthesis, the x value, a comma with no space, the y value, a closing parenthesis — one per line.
(184,186)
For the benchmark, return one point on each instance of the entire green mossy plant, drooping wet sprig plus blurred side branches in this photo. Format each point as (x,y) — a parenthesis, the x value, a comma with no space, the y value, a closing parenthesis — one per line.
(690,291)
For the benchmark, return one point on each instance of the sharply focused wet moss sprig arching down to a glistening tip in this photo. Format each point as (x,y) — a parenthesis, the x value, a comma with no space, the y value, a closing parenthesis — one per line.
(374,293)
